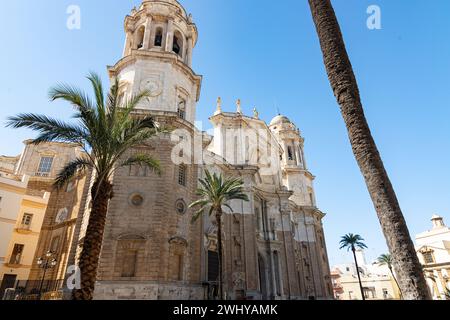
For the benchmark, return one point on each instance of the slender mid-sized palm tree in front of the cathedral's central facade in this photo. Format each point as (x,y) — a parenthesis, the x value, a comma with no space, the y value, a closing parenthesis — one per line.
(215,192)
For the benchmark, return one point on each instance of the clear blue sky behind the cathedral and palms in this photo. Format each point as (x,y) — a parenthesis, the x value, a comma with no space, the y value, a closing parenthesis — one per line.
(267,54)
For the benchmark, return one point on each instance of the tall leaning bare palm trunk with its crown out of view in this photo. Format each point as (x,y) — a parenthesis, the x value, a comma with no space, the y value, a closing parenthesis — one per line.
(345,88)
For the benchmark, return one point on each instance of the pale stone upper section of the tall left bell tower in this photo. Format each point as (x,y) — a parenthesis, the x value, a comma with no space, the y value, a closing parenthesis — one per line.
(160,38)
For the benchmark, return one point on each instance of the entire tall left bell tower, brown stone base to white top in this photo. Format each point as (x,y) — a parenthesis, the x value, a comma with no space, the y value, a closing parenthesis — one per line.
(151,250)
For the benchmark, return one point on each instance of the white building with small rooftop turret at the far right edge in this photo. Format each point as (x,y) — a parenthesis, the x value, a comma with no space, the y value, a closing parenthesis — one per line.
(433,249)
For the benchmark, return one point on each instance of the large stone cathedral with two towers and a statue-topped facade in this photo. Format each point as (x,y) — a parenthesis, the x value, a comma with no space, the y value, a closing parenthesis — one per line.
(274,244)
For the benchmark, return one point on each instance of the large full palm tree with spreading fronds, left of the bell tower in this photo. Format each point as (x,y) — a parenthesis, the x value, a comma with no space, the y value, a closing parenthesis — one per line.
(106,130)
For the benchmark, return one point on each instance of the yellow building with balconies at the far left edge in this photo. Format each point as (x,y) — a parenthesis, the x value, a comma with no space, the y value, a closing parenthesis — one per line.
(21,217)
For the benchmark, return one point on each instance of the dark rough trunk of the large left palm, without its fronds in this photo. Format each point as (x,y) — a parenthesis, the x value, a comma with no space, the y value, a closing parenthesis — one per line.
(90,254)
